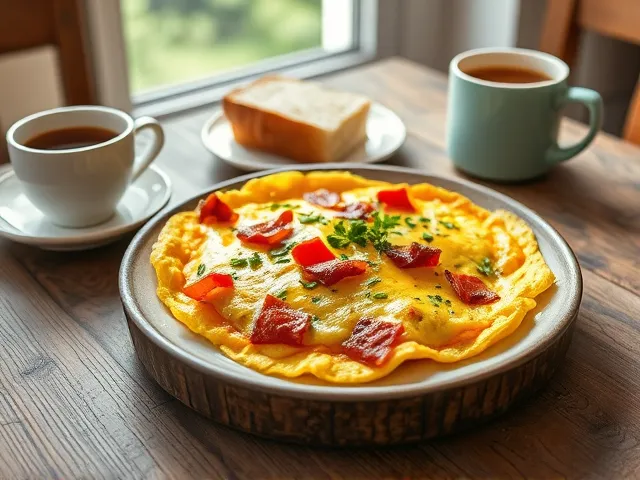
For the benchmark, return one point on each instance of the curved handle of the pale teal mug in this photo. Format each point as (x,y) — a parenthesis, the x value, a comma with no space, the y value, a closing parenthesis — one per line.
(593,101)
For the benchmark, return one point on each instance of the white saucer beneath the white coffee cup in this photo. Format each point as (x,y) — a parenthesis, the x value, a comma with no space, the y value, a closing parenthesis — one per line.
(22,222)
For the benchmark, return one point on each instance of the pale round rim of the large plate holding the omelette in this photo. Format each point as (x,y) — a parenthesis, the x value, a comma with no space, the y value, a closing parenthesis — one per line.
(338,392)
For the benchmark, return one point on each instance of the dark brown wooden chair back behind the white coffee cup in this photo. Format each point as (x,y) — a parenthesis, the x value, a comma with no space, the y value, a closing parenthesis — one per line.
(26,24)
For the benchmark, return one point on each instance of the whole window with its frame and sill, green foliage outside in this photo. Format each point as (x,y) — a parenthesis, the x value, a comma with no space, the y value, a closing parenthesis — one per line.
(161,55)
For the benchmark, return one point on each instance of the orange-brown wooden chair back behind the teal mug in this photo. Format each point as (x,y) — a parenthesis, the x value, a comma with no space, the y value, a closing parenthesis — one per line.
(566,19)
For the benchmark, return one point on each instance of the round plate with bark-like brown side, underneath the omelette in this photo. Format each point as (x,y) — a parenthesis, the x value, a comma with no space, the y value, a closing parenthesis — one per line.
(420,400)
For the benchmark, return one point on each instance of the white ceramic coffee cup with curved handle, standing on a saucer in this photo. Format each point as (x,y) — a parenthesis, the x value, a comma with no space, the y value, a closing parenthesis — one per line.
(79,187)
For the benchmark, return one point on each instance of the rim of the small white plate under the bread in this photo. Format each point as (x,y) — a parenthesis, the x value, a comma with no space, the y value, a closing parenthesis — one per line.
(205,132)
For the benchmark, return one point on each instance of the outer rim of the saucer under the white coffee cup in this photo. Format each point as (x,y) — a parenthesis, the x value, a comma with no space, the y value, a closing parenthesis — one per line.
(92,238)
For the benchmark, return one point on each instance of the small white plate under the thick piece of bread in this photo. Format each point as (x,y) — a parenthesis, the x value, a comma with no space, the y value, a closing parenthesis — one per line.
(385,135)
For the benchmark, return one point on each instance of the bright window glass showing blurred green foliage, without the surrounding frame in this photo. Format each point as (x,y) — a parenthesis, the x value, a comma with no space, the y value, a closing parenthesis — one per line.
(171,42)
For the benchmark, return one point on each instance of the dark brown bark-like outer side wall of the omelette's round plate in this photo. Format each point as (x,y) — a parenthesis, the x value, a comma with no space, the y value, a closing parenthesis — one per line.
(328,423)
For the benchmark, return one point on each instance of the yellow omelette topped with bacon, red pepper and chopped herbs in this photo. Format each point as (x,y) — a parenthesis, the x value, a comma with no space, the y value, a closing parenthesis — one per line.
(344,278)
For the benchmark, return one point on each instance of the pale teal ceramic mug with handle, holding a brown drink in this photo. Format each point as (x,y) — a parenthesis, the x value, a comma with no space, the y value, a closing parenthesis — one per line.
(509,131)
